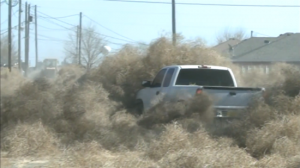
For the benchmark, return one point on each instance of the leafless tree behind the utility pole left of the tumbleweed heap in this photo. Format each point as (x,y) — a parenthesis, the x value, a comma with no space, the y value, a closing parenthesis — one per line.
(92,48)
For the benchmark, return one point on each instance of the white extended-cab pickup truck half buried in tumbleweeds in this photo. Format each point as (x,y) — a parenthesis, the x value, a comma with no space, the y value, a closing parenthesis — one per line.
(182,82)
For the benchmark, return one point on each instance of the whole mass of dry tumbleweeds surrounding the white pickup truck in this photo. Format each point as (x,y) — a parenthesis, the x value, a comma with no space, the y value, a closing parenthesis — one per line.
(86,117)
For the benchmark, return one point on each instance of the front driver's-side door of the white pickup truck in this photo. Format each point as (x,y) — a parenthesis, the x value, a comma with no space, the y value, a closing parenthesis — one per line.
(155,89)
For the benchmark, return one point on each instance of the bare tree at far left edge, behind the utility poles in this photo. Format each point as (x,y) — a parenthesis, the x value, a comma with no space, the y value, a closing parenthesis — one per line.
(4,52)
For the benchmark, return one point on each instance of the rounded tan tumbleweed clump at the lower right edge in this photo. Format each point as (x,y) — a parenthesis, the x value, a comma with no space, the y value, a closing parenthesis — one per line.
(279,136)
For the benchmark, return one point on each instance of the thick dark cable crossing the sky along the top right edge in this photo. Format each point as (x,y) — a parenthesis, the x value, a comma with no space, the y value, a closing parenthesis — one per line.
(204,4)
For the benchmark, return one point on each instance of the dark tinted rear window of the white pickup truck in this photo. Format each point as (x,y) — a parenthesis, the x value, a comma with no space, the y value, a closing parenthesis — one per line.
(204,77)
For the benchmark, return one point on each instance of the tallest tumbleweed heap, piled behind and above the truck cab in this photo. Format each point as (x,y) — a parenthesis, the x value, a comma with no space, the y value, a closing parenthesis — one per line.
(121,74)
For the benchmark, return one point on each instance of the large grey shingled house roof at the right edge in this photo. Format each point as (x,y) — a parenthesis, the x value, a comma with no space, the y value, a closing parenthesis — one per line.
(284,48)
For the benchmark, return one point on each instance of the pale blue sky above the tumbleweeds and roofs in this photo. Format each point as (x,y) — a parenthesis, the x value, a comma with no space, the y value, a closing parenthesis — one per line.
(143,22)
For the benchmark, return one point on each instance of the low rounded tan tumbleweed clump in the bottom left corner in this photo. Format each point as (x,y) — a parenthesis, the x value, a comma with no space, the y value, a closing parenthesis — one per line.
(29,139)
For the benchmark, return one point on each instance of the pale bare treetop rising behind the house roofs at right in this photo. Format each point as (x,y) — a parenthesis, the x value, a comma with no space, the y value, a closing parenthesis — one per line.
(230,33)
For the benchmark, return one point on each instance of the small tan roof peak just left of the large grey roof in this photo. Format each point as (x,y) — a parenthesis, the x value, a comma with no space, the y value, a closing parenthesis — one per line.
(224,48)
